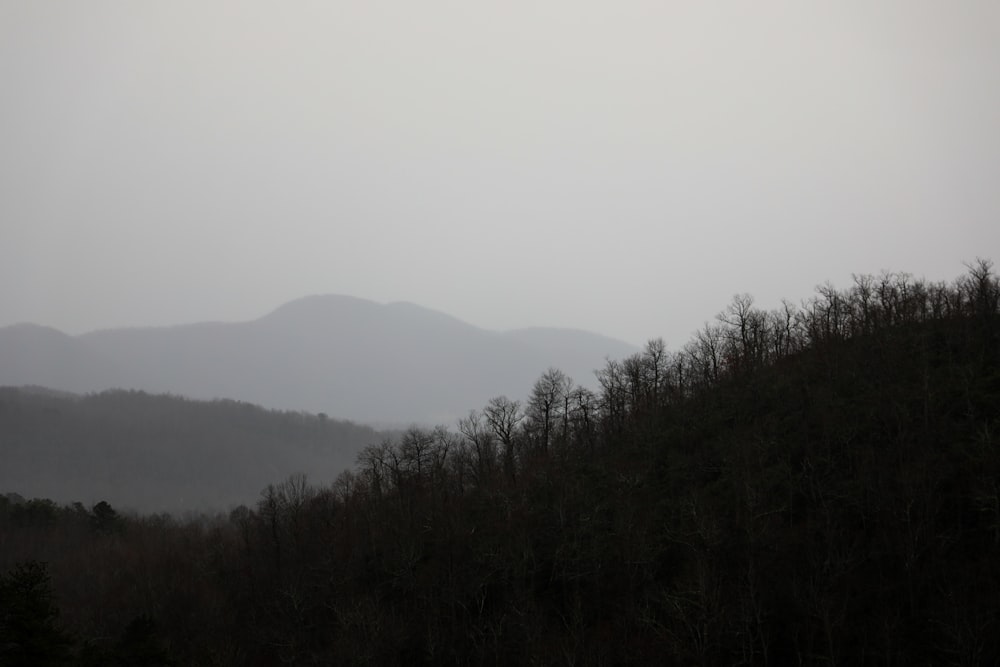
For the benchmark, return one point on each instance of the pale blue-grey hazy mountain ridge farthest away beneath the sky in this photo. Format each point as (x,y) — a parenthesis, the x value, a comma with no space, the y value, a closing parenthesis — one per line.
(348,357)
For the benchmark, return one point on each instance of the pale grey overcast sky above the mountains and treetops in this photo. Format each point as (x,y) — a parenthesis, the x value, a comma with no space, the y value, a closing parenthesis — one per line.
(618,166)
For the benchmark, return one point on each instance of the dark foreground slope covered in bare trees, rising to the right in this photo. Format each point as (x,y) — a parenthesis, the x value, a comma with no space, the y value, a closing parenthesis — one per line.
(817,484)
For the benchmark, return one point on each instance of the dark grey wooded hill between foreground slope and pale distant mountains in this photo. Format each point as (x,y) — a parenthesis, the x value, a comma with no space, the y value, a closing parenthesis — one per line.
(161,453)
